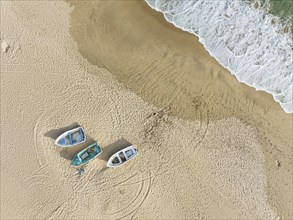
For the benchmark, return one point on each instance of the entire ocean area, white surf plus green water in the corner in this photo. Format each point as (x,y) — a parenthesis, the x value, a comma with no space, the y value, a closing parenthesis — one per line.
(251,38)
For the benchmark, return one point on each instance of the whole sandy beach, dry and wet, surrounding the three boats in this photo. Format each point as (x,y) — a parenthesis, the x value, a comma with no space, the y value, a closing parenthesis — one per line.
(209,146)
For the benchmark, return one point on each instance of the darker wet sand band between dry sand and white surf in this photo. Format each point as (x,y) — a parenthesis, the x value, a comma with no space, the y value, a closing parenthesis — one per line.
(255,108)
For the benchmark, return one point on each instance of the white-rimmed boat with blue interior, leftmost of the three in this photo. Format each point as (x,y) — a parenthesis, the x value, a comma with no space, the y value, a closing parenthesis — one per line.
(70,138)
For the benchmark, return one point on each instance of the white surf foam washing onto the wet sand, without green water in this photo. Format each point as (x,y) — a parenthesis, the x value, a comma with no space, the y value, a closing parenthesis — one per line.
(235,67)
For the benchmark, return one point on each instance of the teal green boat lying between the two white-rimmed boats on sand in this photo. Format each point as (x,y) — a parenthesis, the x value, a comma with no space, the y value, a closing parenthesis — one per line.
(86,155)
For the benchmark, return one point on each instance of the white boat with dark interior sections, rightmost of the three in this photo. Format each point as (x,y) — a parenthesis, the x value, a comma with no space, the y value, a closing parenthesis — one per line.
(122,156)
